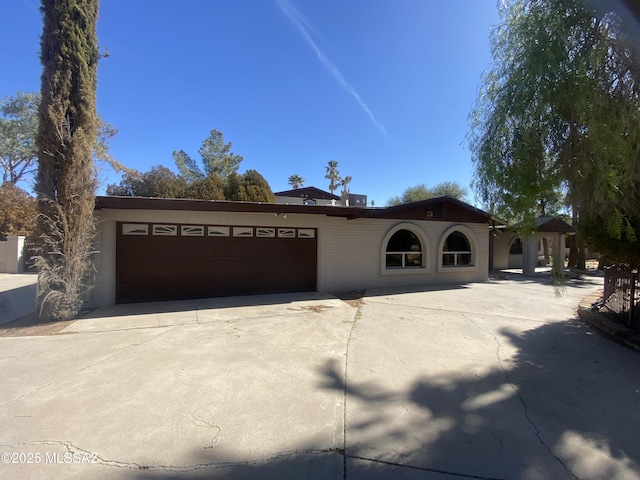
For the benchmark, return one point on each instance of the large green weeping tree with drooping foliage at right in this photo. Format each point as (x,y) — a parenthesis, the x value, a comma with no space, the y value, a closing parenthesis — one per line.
(557,120)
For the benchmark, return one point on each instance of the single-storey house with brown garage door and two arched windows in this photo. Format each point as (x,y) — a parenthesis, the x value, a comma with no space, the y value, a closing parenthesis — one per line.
(165,249)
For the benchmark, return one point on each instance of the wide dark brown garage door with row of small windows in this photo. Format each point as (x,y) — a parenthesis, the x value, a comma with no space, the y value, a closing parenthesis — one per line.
(170,262)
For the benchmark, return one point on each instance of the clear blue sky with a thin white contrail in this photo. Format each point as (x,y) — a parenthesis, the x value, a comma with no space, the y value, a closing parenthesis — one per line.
(384,87)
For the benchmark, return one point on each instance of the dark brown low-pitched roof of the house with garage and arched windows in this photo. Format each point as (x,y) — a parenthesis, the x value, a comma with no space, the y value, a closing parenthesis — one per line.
(441,208)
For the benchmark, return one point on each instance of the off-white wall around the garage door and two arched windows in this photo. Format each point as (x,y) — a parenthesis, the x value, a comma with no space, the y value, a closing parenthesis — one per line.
(350,252)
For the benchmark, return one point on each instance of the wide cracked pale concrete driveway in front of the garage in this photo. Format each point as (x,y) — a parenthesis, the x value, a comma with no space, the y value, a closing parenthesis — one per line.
(483,381)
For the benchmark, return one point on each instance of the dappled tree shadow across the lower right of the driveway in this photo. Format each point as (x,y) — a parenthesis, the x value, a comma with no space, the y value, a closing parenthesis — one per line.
(562,404)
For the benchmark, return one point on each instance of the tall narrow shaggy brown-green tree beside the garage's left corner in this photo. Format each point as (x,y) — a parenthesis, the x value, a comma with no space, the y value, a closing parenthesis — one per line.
(66,177)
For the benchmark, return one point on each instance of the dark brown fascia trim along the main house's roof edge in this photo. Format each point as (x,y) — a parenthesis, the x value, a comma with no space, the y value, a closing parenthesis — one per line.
(351,213)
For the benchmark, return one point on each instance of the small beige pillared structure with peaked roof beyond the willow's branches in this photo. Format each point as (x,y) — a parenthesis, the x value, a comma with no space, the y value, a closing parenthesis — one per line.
(509,250)
